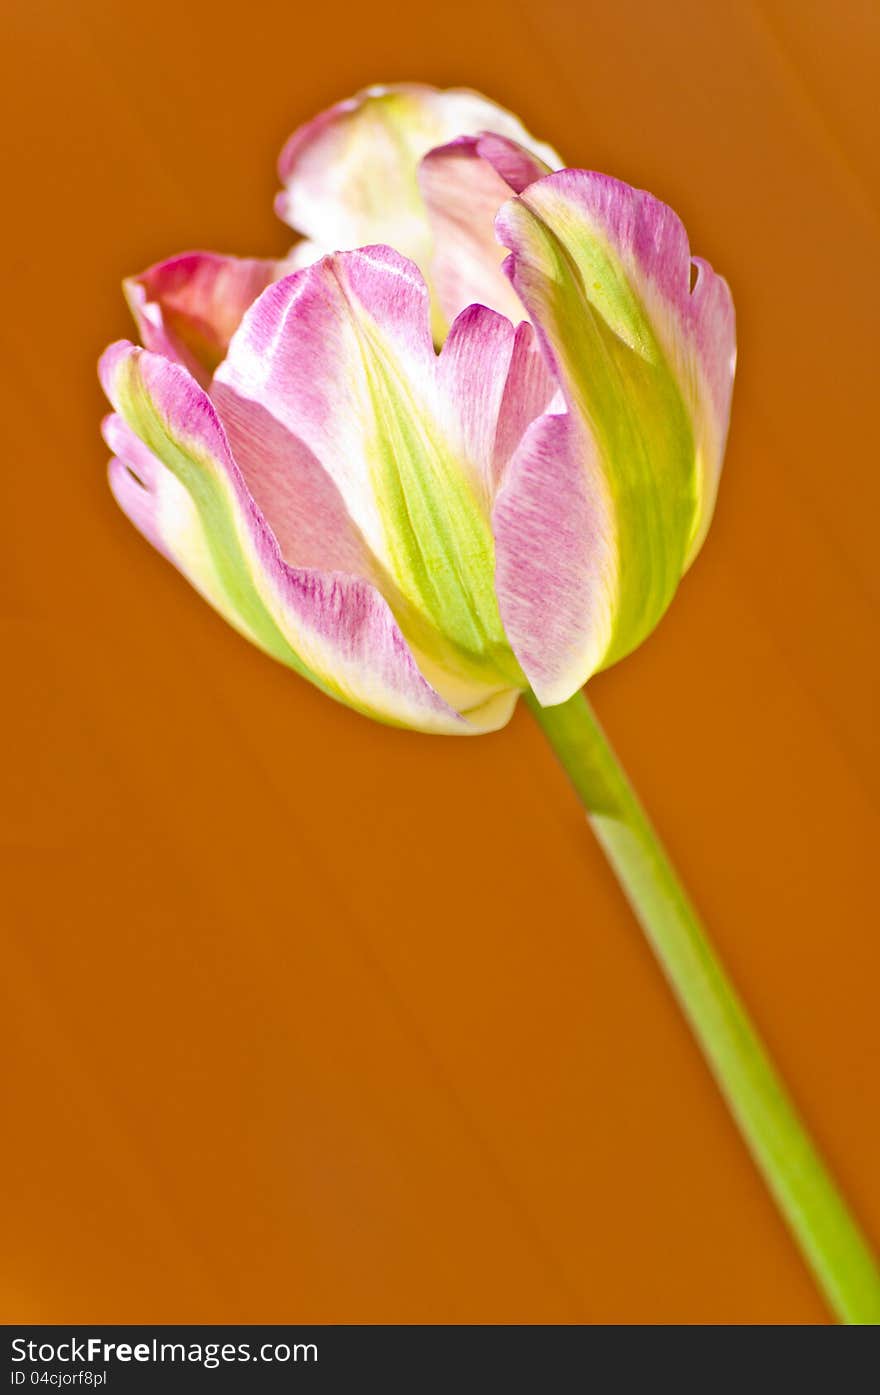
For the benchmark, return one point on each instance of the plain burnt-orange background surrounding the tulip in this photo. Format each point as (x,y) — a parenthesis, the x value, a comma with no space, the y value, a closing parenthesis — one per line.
(313,1020)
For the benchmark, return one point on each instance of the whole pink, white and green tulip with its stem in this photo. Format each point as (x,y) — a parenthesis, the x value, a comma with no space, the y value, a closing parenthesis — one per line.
(460,446)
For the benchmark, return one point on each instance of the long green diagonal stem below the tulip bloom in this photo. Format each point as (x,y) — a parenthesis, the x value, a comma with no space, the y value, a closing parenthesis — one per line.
(803,1186)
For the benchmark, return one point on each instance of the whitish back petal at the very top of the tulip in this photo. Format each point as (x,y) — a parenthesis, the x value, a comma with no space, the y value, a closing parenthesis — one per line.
(351,175)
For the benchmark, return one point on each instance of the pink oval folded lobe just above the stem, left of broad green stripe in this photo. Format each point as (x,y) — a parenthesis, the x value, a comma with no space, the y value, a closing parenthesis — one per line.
(556,559)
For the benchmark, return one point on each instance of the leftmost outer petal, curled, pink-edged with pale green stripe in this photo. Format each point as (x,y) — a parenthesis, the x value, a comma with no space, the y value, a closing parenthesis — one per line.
(334,630)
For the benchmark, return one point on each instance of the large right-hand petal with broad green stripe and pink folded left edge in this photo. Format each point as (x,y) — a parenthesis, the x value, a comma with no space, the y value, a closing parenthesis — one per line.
(646,370)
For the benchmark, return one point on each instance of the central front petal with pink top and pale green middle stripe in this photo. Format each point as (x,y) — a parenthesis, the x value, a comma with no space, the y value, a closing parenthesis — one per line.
(341,358)
